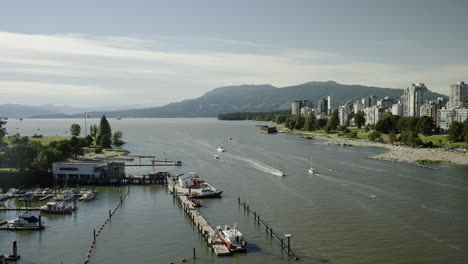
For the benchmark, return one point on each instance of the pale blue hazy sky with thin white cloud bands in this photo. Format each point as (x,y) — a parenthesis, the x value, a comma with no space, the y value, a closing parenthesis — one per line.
(107,52)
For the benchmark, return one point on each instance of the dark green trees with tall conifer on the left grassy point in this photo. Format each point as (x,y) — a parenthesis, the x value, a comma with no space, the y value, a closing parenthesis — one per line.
(101,135)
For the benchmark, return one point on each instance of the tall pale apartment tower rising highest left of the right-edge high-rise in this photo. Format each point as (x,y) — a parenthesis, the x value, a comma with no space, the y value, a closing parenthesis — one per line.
(413,98)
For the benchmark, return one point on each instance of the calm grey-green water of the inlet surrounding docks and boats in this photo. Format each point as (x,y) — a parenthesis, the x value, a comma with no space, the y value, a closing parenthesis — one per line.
(361,211)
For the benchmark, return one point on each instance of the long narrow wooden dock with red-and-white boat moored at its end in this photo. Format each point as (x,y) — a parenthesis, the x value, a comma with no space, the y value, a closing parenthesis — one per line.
(207,231)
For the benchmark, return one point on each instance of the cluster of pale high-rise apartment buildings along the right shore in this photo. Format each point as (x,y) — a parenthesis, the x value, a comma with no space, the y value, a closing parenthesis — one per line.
(413,103)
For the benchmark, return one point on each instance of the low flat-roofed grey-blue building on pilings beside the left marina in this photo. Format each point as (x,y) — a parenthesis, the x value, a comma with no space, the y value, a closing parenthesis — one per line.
(88,170)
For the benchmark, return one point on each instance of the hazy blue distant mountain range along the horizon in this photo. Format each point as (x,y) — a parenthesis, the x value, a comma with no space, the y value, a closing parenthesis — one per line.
(248,98)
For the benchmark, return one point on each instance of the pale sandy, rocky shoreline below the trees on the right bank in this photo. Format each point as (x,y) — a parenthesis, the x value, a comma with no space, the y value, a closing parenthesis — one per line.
(417,156)
